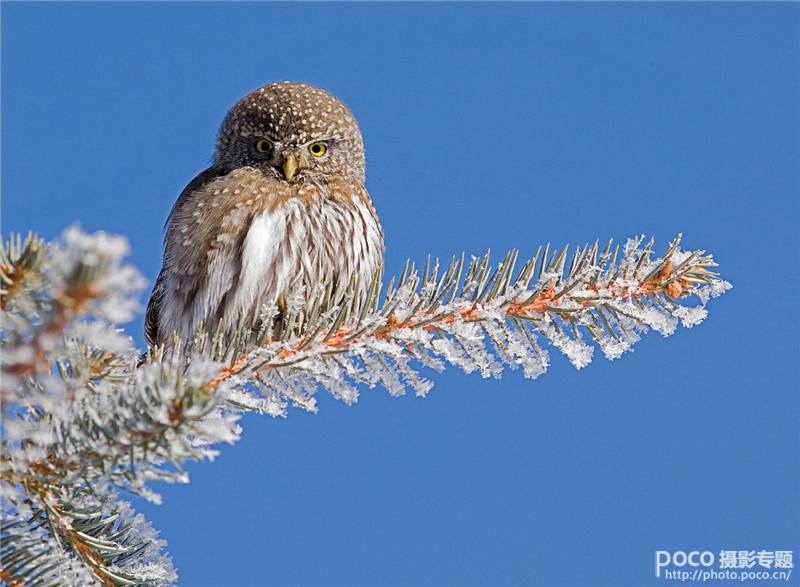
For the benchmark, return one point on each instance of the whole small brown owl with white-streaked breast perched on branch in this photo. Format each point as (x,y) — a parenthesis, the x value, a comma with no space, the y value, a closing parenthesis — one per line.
(282,214)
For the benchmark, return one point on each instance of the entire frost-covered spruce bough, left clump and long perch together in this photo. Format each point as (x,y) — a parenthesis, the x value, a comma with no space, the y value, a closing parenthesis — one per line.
(84,416)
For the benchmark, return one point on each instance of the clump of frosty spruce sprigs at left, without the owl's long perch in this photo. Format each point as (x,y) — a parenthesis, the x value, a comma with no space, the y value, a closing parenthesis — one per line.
(79,420)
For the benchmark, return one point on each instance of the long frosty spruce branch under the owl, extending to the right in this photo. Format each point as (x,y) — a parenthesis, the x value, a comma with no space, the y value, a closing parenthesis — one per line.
(491,317)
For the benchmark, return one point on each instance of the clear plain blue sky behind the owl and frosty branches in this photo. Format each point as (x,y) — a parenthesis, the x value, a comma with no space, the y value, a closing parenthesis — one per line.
(487,125)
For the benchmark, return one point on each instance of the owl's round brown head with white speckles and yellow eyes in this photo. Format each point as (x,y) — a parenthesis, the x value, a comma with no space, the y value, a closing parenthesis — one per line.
(294,132)
